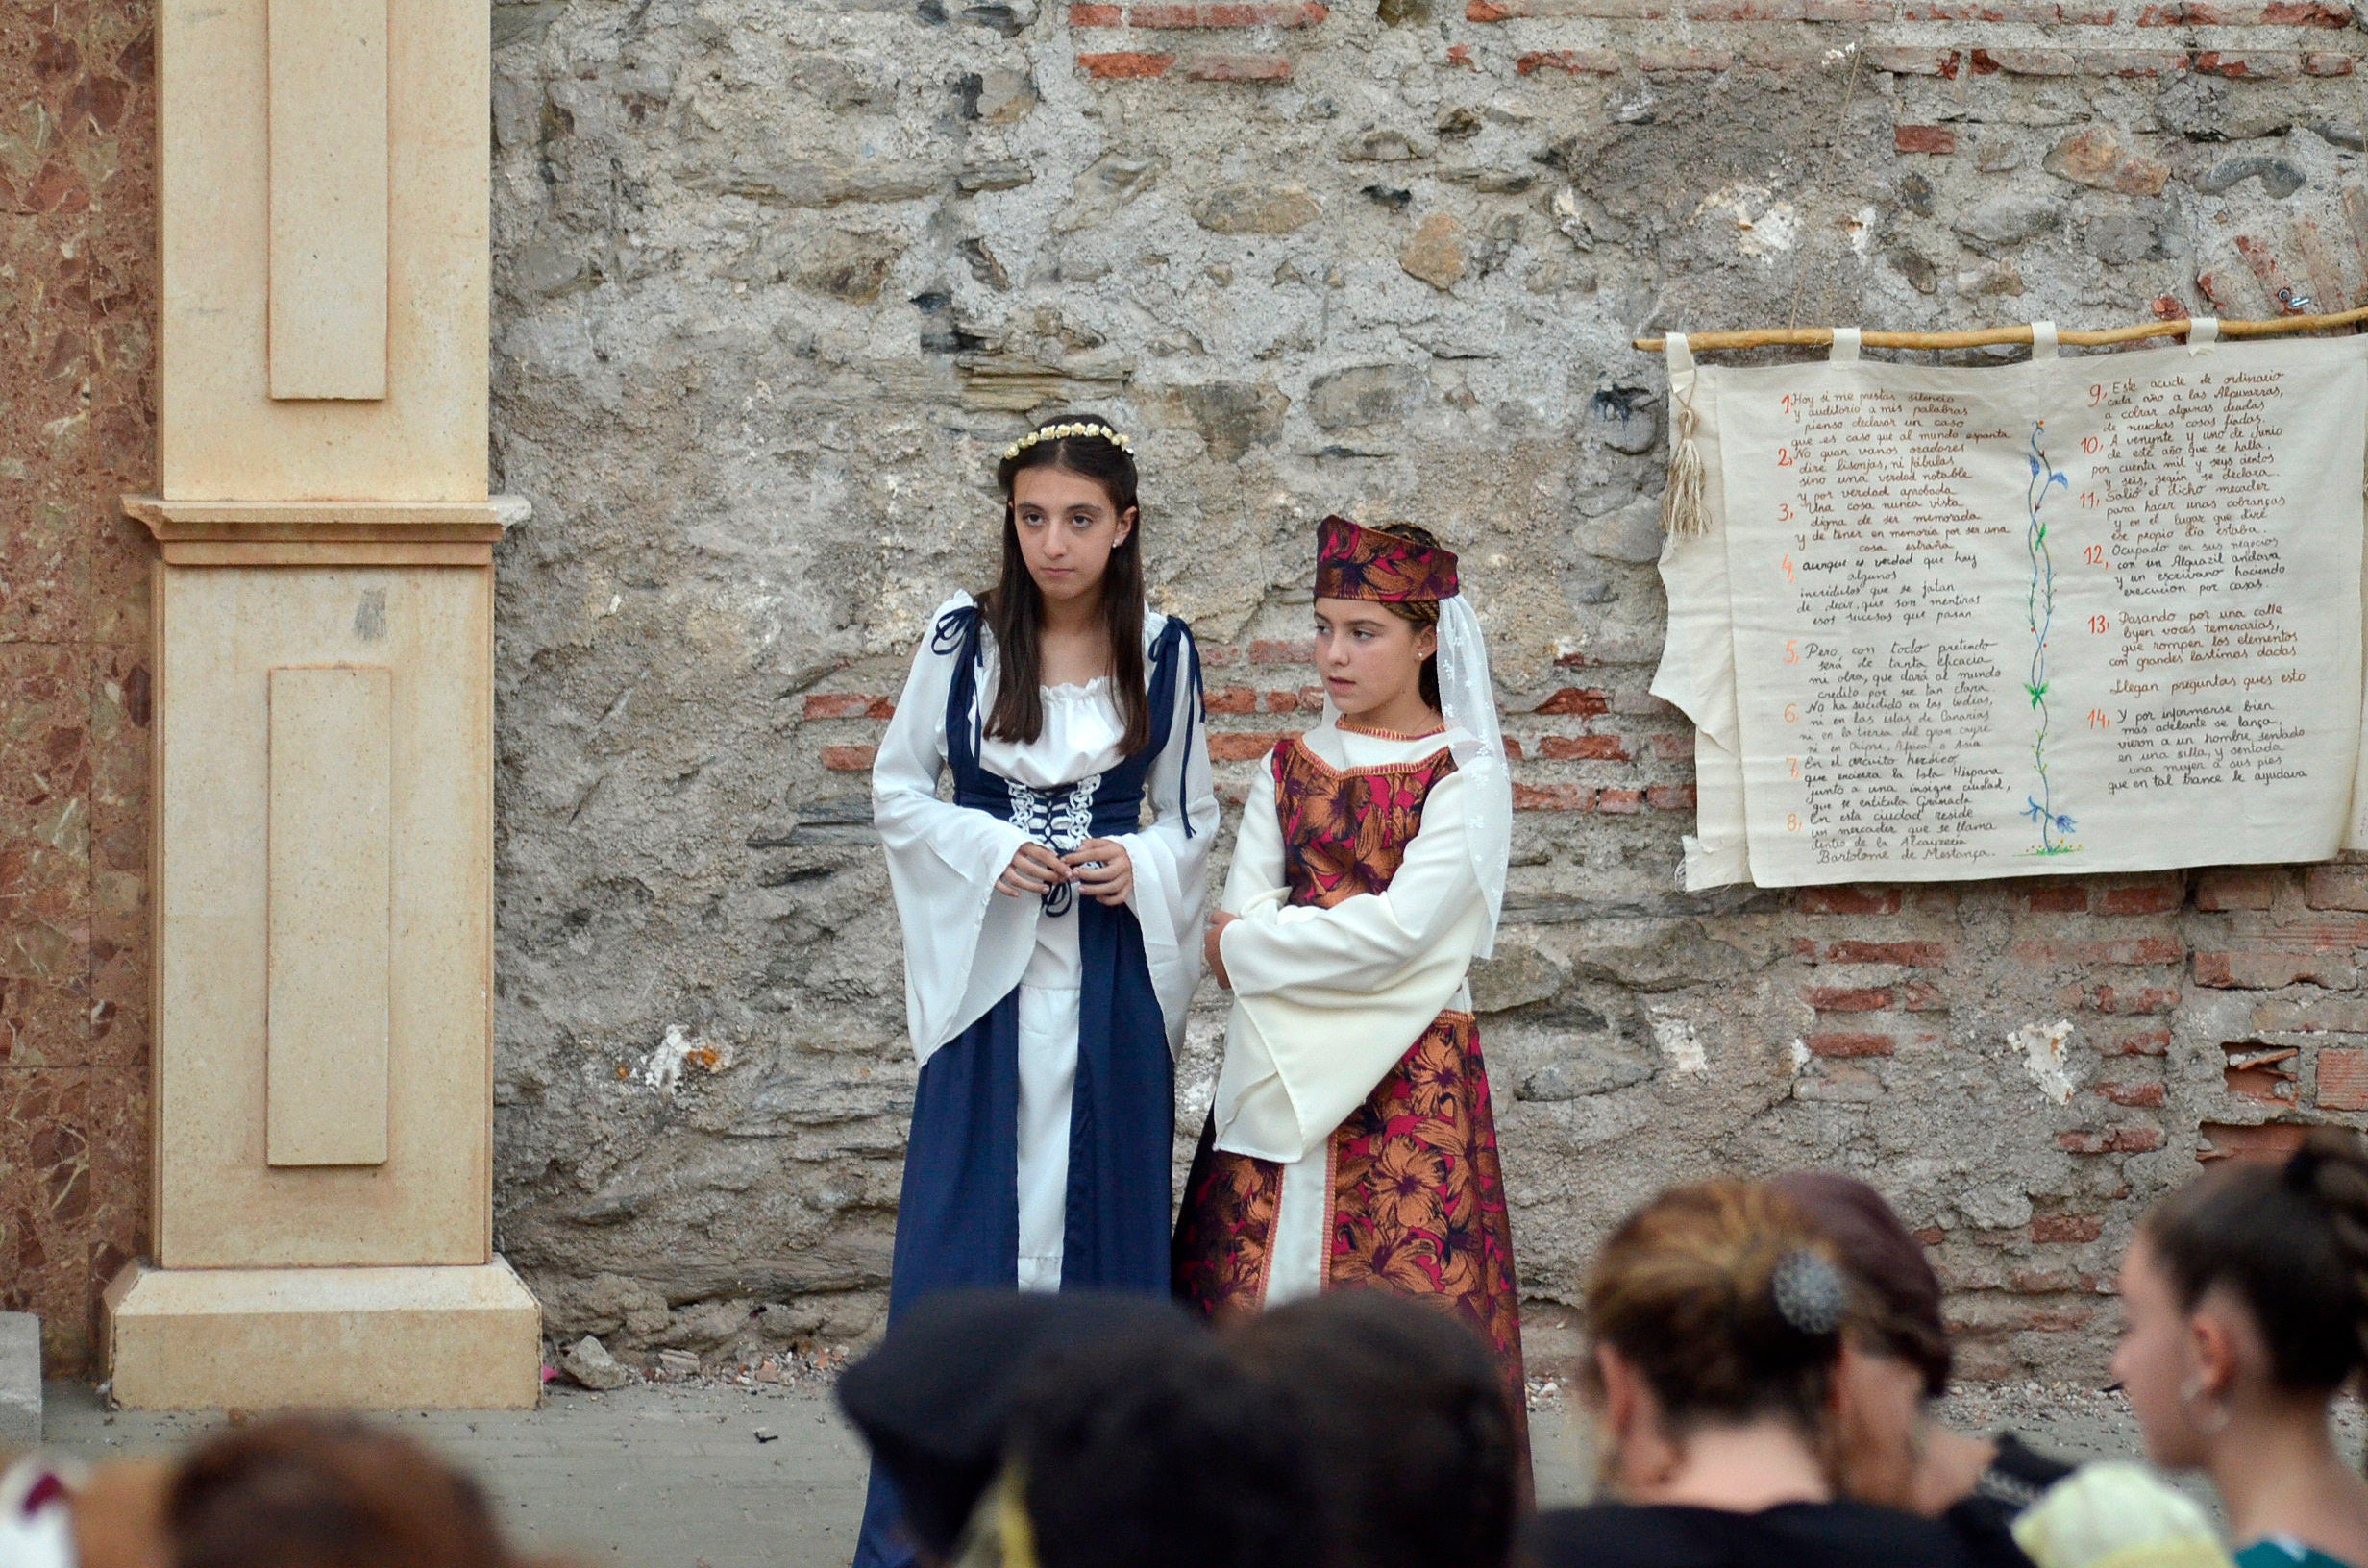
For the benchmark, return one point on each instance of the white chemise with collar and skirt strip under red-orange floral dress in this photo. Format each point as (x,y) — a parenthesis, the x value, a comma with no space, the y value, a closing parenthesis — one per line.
(1327,1001)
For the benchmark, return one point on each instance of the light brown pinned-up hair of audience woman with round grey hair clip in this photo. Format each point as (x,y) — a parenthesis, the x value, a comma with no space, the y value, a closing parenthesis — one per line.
(1687,1294)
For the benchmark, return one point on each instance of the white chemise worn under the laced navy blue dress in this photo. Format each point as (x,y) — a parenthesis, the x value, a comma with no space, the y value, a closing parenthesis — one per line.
(970,946)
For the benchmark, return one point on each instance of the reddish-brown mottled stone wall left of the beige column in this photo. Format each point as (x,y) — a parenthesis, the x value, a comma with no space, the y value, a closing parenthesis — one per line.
(77,430)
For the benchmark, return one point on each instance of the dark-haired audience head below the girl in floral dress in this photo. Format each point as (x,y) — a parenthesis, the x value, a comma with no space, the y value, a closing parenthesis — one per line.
(1408,1422)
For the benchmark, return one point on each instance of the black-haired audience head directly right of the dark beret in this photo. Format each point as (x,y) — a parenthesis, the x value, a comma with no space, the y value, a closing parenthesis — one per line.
(1162,1453)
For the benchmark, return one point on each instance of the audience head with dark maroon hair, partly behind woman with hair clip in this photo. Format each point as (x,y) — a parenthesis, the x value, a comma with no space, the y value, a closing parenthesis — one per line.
(1896,1351)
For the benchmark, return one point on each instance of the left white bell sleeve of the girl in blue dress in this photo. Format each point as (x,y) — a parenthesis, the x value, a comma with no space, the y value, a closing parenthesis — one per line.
(965,946)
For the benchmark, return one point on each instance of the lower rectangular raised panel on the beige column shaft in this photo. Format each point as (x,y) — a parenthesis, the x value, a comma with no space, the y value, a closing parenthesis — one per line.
(330,901)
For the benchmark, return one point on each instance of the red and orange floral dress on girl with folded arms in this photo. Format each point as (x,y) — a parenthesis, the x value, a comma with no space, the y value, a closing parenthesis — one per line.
(1415,1195)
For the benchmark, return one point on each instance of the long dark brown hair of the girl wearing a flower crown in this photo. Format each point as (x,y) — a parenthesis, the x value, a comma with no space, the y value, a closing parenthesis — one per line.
(1015,608)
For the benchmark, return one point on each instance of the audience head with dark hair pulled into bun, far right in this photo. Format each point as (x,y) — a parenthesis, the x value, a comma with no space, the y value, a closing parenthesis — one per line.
(2248,1294)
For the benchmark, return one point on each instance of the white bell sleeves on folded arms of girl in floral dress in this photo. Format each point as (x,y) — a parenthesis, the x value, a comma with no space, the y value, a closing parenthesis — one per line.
(1327,1001)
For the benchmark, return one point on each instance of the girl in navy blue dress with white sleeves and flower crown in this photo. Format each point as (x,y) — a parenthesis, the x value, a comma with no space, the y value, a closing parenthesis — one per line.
(1053,937)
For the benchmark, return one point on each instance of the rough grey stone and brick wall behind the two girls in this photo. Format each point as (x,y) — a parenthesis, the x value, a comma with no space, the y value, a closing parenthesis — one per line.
(776,288)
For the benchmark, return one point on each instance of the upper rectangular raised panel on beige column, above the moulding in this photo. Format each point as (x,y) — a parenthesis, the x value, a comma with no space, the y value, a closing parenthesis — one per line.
(328,172)
